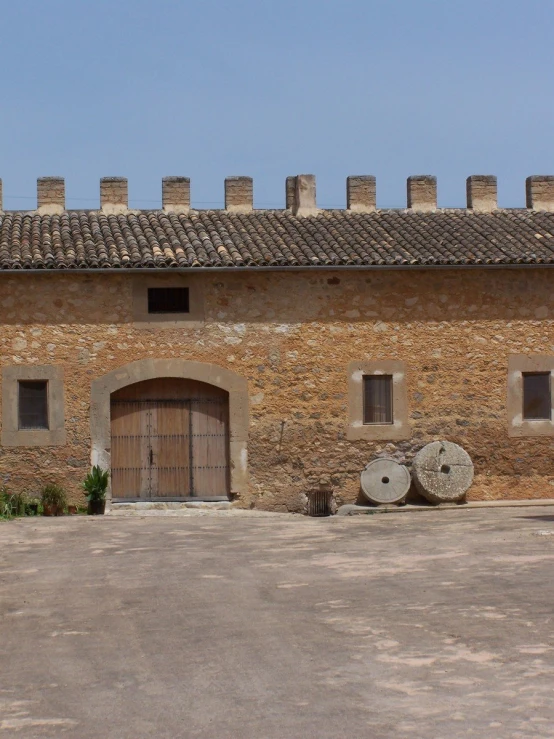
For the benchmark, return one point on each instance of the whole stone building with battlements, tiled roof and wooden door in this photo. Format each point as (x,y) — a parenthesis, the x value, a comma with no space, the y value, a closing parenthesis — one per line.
(256,355)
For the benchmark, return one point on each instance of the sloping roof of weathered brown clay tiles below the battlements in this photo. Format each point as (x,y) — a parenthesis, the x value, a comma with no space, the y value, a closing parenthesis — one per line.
(203,239)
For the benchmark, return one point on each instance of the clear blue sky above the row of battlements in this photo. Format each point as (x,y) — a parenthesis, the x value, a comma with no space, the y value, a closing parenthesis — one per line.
(270,88)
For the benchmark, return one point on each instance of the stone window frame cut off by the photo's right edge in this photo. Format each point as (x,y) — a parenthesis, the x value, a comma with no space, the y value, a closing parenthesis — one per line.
(518,366)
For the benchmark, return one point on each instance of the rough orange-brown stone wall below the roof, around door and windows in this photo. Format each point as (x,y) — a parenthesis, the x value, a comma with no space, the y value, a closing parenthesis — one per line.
(292,335)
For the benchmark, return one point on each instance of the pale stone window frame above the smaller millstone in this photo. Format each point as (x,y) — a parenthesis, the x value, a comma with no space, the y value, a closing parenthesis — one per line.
(400,426)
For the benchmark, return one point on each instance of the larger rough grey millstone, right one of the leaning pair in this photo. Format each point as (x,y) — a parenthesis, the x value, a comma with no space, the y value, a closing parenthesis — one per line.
(442,472)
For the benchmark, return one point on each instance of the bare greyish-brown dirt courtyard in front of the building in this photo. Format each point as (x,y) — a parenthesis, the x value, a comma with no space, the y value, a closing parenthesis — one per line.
(431,625)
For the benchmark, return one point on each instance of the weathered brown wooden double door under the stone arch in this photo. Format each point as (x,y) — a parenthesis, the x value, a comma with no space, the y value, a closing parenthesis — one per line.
(170,441)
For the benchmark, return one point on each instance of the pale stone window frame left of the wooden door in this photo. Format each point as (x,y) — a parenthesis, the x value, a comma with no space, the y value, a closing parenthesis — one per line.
(12,435)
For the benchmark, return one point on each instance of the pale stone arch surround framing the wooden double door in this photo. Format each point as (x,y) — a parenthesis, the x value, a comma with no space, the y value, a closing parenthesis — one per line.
(150,369)
